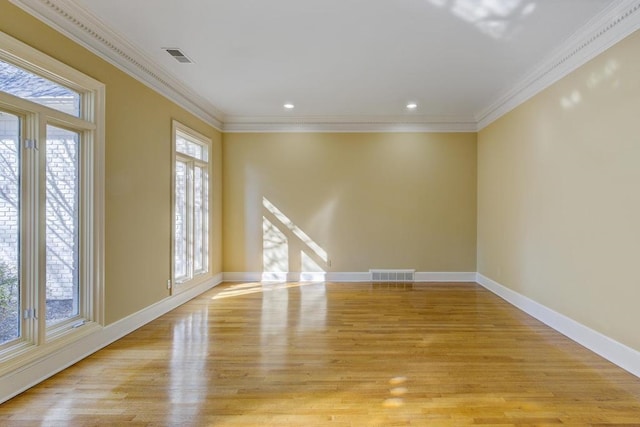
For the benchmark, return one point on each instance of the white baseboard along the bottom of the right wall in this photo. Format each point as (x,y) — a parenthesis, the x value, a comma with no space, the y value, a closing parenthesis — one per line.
(615,352)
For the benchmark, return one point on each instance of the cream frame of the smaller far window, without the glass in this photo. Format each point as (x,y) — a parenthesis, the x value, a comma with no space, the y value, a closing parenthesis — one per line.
(194,278)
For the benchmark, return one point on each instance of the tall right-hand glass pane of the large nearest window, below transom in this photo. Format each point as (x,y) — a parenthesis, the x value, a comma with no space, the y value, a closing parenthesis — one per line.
(62,226)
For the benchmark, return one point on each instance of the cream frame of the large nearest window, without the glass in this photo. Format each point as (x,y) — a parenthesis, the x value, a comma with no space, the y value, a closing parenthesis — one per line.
(37,340)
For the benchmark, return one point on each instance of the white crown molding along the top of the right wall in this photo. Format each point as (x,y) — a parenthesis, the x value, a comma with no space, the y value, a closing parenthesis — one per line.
(608,28)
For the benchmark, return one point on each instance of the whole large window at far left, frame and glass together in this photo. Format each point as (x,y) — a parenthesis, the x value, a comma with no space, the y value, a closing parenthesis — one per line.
(51,190)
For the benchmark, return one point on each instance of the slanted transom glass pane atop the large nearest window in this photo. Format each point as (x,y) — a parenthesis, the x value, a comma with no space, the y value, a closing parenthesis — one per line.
(29,86)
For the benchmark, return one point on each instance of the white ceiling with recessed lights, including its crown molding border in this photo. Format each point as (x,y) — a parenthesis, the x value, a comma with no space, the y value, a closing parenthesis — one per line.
(345,64)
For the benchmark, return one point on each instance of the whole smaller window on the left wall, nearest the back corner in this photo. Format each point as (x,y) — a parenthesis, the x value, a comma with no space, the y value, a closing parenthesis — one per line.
(191,206)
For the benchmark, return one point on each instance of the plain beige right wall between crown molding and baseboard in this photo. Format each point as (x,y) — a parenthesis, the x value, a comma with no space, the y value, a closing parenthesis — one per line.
(559,195)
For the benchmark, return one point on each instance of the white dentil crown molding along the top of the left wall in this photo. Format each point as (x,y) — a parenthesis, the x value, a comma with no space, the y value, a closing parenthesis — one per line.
(84,28)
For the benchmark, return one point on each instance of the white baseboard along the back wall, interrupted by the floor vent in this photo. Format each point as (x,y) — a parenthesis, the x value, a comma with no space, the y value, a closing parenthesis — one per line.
(359,276)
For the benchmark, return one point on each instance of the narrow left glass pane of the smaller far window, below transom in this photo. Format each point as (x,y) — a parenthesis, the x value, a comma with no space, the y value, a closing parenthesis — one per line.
(180,249)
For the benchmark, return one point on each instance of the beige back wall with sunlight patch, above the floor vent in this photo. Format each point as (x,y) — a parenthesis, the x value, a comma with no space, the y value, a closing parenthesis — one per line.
(368,200)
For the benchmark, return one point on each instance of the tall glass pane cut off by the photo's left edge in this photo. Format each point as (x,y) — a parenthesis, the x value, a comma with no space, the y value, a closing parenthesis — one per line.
(9,227)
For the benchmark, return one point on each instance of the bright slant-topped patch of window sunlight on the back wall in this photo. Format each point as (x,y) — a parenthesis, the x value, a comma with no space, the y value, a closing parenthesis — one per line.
(286,248)
